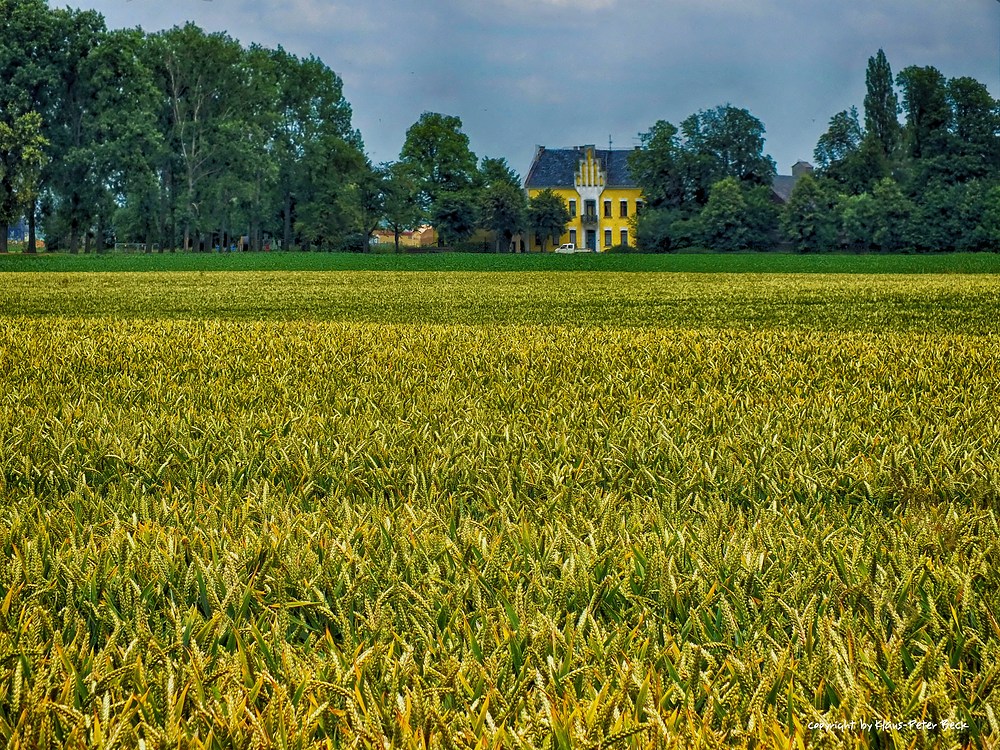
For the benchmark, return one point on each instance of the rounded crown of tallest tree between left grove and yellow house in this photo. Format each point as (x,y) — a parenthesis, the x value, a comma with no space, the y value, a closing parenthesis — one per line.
(437,153)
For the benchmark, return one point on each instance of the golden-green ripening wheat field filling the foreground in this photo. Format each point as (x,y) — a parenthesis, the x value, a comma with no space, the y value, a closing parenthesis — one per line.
(430,509)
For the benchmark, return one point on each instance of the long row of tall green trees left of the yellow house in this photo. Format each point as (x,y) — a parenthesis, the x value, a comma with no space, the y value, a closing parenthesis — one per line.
(187,139)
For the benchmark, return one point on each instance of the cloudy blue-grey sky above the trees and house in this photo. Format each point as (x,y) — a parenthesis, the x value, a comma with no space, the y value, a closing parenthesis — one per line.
(570,72)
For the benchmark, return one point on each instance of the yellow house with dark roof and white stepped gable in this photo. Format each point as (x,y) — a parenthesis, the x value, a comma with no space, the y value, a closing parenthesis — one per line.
(599,191)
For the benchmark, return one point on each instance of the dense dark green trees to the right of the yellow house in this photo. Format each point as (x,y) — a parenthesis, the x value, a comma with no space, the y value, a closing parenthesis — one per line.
(927,184)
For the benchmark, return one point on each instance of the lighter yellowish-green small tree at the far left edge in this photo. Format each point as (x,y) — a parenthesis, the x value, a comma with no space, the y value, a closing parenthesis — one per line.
(21,159)
